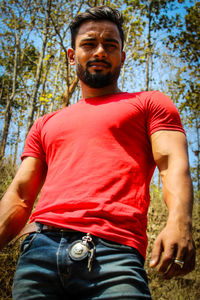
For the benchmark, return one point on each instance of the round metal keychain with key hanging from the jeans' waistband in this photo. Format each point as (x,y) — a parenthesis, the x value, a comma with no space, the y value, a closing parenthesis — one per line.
(81,249)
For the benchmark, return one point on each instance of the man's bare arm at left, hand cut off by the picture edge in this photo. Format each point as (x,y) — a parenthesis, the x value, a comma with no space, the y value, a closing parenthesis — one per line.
(17,203)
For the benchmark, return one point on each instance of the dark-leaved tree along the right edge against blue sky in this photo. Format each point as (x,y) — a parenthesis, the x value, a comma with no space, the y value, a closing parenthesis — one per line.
(187,46)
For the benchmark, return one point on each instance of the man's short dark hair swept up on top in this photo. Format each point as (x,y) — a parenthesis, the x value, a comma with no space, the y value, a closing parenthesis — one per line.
(97,13)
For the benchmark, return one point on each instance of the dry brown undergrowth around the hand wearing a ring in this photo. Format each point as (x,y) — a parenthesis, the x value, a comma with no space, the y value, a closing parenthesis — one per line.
(179,288)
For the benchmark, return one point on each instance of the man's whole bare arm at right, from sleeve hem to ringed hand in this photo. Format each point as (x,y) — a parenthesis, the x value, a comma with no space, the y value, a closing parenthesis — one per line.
(175,240)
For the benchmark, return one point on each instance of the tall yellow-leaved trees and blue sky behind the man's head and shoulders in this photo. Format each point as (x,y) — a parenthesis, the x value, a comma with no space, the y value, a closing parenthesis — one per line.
(36,77)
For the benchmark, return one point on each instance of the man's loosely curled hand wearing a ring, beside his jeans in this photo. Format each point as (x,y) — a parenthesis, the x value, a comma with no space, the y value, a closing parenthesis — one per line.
(174,242)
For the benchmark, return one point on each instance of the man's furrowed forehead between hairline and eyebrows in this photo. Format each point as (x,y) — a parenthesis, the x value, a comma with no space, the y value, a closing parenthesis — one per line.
(98,29)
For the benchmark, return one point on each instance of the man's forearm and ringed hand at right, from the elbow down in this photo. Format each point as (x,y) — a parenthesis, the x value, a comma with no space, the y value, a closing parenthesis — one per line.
(175,240)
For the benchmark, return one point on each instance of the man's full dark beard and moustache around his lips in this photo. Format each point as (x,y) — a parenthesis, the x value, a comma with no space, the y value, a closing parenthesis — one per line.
(97,80)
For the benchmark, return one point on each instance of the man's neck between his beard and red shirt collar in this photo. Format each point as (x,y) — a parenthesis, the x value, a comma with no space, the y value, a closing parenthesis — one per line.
(88,92)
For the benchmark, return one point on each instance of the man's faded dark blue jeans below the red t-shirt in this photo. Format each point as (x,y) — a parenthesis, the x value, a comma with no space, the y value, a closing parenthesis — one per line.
(45,270)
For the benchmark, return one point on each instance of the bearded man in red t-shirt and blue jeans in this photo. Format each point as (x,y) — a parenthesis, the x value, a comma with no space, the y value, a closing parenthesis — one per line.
(95,160)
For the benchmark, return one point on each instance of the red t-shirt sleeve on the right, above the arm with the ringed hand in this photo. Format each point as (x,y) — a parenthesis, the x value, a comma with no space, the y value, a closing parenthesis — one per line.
(162,114)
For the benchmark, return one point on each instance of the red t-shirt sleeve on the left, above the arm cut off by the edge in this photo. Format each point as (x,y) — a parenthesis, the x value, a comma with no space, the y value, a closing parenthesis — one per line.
(33,145)
